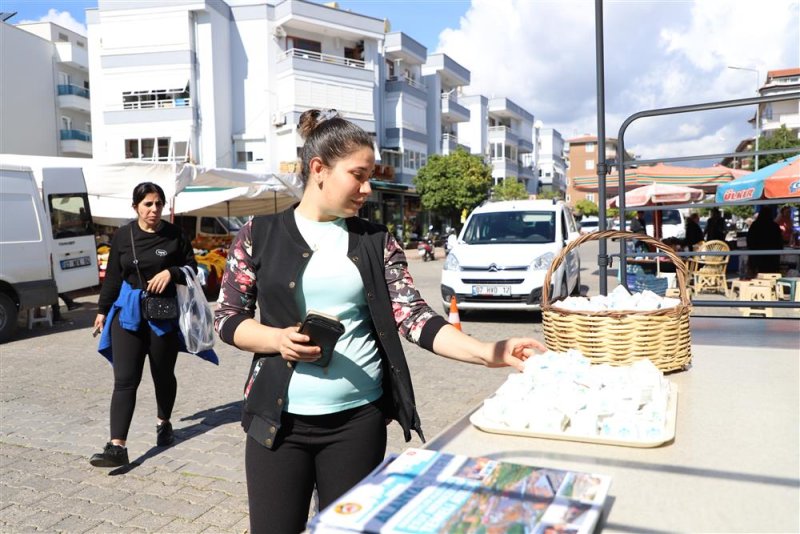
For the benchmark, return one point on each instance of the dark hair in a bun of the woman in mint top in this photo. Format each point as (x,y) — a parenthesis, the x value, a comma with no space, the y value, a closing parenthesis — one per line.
(328,137)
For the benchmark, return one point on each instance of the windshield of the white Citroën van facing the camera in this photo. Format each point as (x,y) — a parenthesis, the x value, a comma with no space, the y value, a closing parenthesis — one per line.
(511,227)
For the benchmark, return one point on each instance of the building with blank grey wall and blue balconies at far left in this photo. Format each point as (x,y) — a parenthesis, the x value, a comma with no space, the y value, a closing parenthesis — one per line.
(44,91)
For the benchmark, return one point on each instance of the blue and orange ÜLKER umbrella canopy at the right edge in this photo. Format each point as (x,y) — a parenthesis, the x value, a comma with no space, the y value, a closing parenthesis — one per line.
(779,180)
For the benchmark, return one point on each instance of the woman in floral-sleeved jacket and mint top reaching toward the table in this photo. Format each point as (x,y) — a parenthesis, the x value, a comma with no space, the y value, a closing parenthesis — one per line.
(318,426)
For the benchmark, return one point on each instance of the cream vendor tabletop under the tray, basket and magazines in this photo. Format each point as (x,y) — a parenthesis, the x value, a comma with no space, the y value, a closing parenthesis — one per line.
(734,465)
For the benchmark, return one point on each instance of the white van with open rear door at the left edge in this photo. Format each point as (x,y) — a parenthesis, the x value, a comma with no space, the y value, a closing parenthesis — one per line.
(47,243)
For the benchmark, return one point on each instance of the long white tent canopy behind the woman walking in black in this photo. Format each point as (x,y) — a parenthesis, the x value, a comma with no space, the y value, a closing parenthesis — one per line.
(189,189)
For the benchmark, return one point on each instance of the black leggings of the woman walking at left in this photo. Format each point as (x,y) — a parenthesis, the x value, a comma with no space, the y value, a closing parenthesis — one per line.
(130,349)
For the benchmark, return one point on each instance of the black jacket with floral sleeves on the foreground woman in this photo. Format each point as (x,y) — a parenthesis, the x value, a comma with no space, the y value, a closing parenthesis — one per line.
(265,263)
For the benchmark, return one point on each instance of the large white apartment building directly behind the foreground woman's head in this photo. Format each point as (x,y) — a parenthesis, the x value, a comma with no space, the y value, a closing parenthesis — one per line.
(223,84)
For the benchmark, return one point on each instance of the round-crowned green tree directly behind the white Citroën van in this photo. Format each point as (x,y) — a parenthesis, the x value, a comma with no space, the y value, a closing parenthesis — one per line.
(451,183)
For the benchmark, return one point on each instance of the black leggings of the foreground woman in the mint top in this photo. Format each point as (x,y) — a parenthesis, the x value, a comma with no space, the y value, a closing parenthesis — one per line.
(333,452)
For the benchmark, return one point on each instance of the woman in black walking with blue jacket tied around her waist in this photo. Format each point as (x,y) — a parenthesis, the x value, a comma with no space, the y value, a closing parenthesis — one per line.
(161,249)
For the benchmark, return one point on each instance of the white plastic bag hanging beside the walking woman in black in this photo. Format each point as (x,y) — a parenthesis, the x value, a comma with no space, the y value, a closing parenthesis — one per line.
(196,319)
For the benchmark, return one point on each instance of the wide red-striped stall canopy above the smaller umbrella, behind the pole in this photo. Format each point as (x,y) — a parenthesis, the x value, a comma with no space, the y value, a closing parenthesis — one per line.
(705,178)
